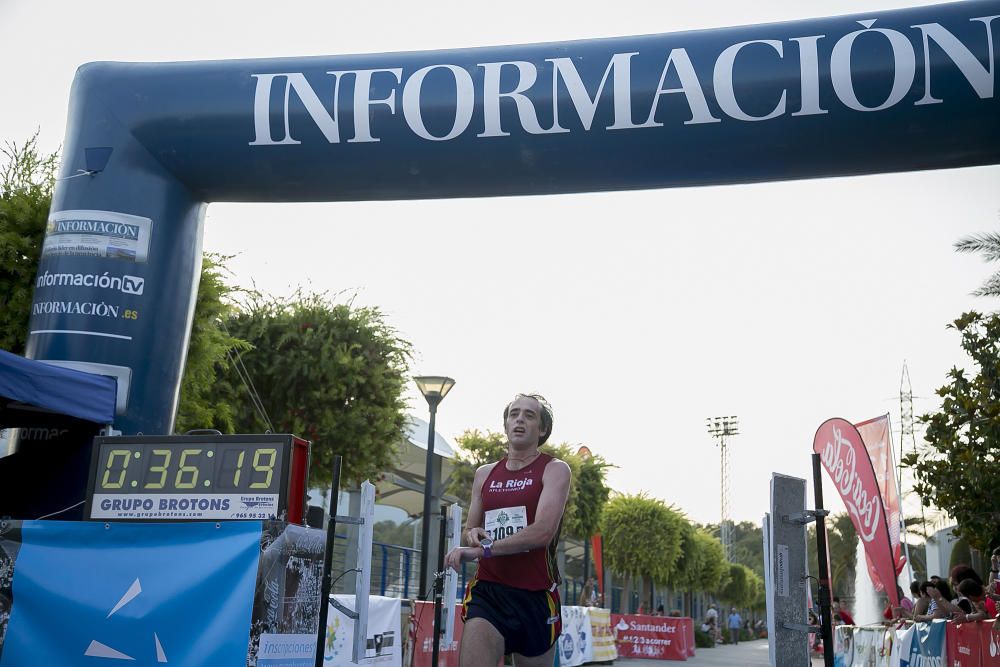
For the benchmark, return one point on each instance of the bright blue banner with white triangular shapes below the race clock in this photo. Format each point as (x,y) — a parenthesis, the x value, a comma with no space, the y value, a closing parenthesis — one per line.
(142,594)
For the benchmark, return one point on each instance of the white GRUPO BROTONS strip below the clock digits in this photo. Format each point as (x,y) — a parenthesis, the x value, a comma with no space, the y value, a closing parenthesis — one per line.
(187,506)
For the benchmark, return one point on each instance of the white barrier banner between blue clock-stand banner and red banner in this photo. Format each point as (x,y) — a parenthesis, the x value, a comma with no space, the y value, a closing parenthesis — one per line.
(385,644)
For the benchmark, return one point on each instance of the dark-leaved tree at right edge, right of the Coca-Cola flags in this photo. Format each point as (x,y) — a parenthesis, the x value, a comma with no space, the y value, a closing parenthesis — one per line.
(957,469)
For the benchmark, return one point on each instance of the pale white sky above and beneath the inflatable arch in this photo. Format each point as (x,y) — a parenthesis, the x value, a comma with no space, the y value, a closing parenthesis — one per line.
(637,314)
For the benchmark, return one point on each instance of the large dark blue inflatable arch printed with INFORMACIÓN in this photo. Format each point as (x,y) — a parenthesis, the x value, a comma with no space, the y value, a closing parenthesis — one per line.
(148,145)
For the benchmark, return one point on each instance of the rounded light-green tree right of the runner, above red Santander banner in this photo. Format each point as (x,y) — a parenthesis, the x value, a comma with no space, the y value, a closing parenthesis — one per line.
(642,539)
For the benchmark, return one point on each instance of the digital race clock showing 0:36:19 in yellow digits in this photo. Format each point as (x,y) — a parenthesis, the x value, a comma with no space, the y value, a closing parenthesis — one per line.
(198,477)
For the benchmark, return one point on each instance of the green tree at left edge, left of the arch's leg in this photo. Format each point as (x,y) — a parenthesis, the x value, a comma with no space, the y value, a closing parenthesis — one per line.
(27,178)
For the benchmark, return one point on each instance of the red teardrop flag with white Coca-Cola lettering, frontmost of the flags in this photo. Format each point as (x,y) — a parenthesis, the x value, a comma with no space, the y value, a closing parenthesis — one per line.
(843,453)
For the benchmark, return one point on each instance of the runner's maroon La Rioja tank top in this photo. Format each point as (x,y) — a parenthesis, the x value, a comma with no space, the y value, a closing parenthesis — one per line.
(509,501)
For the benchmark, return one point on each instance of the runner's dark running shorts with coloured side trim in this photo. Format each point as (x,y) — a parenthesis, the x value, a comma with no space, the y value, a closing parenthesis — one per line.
(530,621)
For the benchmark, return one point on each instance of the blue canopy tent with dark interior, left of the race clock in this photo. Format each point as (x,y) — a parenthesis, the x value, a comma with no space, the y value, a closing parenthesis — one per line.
(59,410)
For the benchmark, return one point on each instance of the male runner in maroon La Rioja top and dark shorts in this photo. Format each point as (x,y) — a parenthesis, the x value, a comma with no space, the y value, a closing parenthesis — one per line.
(511,606)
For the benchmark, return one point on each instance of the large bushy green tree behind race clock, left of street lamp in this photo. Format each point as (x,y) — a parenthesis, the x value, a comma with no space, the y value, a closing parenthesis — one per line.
(330,372)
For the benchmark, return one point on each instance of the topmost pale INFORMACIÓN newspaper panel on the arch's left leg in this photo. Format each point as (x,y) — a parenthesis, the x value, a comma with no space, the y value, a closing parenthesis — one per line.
(98,234)
